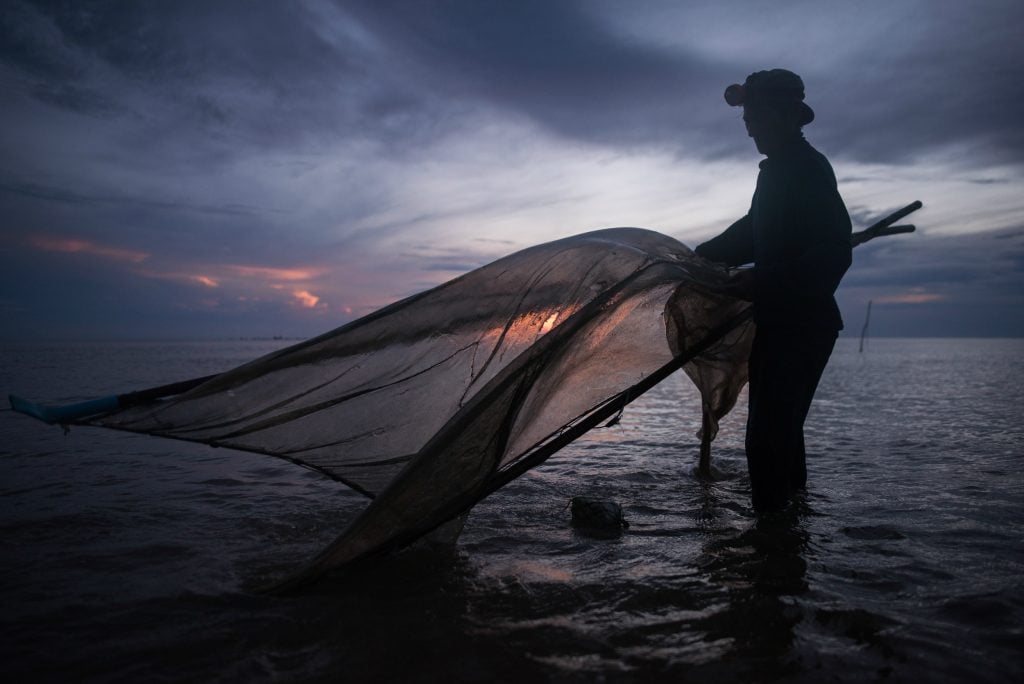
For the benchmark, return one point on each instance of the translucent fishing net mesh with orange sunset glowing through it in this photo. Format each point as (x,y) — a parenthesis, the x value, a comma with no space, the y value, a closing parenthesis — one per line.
(431,404)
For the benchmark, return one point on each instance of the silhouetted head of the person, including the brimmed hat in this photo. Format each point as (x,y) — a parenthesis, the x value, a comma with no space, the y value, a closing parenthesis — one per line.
(774,108)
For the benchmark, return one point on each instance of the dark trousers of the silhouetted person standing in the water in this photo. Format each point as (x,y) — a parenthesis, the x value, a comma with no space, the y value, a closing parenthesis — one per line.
(785,369)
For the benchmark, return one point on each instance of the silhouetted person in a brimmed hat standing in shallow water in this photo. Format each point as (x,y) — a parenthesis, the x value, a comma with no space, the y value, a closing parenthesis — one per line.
(797,235)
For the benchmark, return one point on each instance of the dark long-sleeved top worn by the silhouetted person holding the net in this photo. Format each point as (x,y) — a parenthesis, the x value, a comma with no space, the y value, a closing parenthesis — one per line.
(797,234)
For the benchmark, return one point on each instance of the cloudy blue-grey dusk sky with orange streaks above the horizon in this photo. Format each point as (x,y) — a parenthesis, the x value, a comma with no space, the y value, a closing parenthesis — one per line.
(200,168)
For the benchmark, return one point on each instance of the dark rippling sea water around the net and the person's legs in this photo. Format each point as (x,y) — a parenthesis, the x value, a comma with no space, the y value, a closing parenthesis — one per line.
(129,559)
